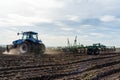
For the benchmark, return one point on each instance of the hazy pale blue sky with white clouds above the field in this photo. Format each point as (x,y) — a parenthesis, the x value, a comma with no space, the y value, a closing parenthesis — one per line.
(93,21)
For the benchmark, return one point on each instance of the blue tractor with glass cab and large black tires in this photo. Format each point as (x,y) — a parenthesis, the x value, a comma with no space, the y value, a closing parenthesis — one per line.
(29,43)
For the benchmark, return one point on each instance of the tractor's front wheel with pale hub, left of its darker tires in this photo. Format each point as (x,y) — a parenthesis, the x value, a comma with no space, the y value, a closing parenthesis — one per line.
(24,47)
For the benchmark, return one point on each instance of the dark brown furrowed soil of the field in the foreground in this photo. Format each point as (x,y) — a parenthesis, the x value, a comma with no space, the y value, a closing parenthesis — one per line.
(62,66)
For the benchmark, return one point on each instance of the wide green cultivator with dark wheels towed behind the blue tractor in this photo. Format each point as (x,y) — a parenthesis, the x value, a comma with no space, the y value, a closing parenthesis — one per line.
(92,49)
